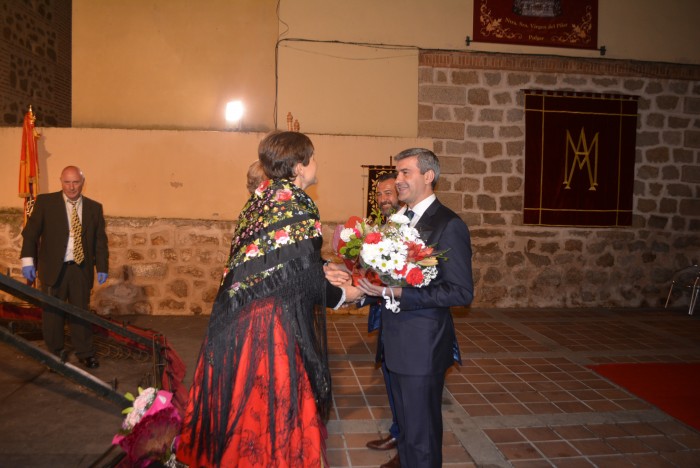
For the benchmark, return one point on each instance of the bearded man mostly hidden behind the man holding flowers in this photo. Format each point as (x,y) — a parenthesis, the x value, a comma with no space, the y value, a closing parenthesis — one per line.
(388,203)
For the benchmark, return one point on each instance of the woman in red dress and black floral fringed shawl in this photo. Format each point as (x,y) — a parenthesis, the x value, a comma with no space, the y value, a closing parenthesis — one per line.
(261,391)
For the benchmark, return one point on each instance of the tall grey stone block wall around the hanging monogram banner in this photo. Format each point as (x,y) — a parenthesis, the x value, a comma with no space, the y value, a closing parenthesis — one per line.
(471,104)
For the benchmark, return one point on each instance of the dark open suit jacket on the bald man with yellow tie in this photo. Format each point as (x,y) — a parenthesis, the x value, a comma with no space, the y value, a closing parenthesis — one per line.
(48,230)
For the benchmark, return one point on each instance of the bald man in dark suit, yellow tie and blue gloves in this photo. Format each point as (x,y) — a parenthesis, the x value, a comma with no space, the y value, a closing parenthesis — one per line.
(66,236)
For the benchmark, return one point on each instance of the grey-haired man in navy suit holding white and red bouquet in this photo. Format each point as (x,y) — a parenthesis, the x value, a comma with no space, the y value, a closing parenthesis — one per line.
(419,340)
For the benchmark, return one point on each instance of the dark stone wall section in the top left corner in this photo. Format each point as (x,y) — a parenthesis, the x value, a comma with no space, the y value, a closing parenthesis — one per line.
(35,61)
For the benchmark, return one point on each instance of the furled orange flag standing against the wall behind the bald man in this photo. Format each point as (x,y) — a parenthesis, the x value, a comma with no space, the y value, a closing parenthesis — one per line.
(29,164)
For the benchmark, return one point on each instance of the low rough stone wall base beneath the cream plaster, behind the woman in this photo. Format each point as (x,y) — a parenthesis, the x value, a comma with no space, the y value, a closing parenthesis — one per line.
(157,266)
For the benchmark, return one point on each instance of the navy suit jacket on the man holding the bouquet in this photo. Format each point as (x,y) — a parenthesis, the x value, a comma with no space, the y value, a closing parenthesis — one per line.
(419,339)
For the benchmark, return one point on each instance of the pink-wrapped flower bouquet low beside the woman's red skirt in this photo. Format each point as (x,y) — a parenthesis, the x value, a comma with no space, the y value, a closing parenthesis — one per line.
(149,431)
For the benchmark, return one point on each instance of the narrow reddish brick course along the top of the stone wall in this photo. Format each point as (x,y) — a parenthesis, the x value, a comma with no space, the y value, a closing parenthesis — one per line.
(554,64)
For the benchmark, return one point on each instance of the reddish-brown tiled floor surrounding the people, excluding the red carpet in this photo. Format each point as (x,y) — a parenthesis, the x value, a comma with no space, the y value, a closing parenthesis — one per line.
(523,397)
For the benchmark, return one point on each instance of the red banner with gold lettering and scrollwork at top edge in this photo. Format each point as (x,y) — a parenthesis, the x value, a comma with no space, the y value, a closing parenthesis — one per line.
(551,23)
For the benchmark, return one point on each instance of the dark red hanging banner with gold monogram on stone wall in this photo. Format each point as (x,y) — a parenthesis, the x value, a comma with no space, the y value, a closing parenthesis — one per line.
(579,158)
